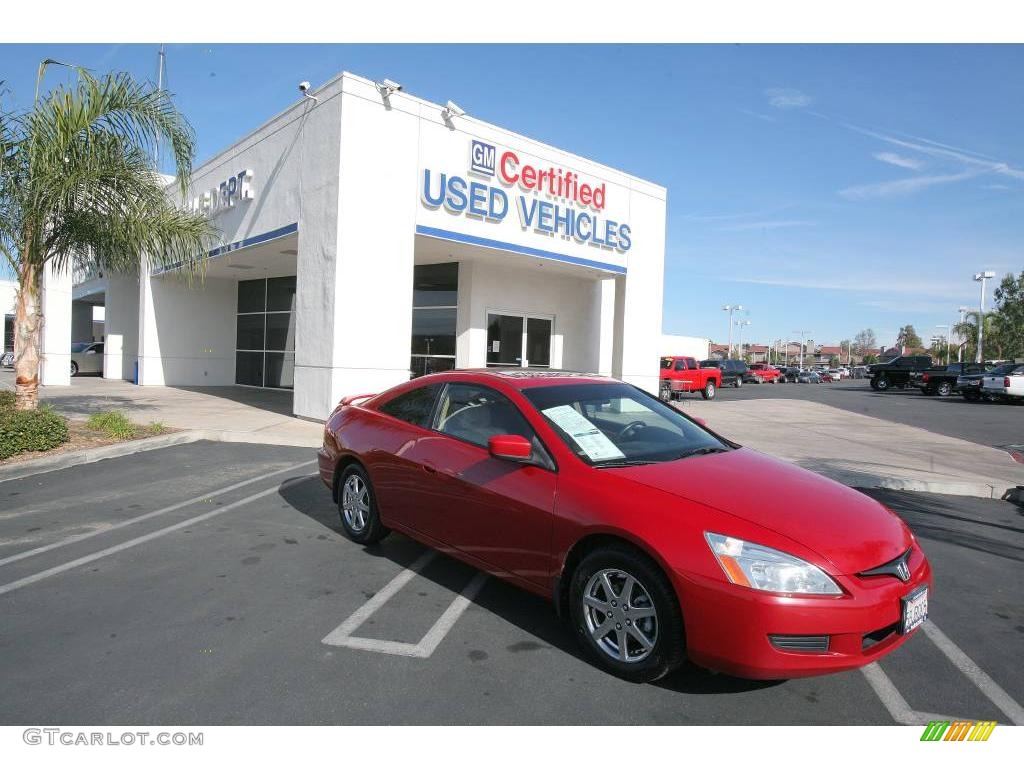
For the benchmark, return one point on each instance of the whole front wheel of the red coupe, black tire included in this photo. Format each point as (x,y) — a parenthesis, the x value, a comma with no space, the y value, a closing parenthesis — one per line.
(651,593)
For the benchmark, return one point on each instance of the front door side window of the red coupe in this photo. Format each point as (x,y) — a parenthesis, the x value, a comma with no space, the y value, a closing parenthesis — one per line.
(476,414)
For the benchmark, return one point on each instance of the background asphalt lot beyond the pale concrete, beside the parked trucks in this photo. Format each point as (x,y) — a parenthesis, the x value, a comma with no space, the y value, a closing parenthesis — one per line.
(991,424)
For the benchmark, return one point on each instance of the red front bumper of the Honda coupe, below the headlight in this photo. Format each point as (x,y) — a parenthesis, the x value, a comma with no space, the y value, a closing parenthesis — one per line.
(730,628)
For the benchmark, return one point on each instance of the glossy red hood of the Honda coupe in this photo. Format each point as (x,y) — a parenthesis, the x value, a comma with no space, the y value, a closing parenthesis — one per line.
(851,531)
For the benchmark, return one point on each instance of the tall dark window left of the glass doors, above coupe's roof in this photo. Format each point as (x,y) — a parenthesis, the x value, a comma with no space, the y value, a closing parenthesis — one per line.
(436,298)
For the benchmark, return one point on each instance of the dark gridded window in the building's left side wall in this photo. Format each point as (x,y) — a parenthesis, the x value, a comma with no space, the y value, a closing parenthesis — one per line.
(266,333)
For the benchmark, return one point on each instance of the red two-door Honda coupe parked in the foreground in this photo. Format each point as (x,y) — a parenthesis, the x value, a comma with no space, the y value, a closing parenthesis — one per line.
(656,538)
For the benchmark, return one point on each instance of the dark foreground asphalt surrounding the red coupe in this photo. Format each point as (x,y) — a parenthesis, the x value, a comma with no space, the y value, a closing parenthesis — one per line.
(198,584)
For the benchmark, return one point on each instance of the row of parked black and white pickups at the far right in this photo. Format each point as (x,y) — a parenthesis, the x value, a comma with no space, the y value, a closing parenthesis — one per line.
(974,381)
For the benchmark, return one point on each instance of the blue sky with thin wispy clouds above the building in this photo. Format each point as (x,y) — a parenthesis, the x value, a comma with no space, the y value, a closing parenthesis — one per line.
(824,188)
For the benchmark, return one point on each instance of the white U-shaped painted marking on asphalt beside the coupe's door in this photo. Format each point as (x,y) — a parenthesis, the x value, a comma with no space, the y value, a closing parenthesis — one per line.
(343,635)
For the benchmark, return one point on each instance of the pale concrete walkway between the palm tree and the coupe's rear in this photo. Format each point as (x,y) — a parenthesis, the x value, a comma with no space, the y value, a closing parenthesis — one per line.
(232,414)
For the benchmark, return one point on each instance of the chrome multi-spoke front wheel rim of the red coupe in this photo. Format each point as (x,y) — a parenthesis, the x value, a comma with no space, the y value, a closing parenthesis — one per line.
(620,616)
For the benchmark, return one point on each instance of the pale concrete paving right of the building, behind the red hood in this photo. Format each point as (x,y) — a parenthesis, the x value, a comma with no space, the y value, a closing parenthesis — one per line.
(862,451)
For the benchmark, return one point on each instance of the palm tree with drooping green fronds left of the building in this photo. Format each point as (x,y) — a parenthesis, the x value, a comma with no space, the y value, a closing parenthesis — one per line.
(78,181)
